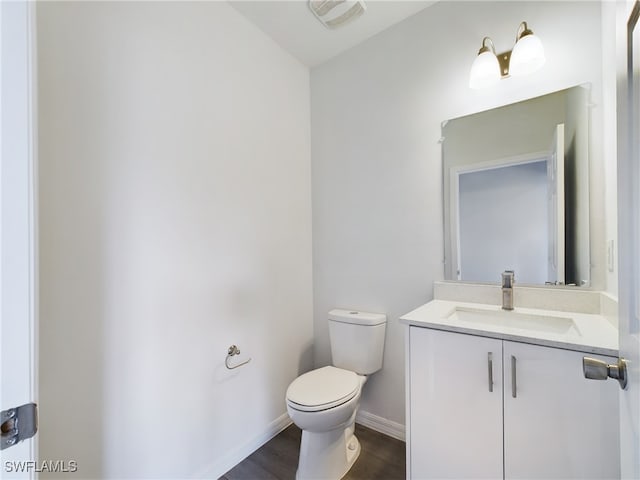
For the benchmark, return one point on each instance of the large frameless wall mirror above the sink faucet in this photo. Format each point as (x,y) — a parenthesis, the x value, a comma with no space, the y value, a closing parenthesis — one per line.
(516,191)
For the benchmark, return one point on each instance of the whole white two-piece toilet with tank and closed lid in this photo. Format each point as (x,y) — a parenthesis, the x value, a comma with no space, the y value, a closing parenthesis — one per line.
(324,402)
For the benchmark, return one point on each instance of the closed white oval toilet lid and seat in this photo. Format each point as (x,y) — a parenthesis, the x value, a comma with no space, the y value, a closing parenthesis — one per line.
(323,388)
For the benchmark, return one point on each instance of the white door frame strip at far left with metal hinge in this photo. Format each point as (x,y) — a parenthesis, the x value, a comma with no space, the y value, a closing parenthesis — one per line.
(17,264)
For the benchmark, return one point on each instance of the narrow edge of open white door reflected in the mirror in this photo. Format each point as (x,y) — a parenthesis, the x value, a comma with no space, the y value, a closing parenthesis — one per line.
(555,202)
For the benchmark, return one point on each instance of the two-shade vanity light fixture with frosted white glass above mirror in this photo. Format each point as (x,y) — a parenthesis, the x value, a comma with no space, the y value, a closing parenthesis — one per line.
(526,57)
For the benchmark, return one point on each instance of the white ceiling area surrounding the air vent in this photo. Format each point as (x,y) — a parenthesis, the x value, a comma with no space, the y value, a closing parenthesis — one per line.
(292,25)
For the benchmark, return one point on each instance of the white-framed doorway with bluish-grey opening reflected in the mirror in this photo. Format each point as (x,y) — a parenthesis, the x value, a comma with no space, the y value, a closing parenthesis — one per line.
(490,239)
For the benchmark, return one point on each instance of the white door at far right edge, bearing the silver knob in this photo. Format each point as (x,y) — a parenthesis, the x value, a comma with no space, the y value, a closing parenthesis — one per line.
(629,240)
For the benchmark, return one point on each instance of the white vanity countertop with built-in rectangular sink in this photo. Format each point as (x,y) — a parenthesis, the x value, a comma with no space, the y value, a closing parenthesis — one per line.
(590,333)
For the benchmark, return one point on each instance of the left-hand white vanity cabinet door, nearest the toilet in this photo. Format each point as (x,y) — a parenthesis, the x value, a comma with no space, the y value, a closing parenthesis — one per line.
(456,421)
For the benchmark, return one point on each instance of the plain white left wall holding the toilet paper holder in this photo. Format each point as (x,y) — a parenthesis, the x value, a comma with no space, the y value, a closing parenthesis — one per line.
(175,221)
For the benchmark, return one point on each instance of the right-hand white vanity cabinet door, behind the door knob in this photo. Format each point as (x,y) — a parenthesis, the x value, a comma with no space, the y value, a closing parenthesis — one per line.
(559,425)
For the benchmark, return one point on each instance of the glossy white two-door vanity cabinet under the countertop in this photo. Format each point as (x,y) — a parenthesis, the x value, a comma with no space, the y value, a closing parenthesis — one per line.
(489,408)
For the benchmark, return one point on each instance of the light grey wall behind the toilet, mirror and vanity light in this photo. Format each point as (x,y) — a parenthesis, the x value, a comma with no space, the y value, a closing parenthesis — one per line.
(376,162)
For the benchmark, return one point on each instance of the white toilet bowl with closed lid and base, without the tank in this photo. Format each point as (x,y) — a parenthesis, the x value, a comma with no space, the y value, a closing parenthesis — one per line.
(323,403)
